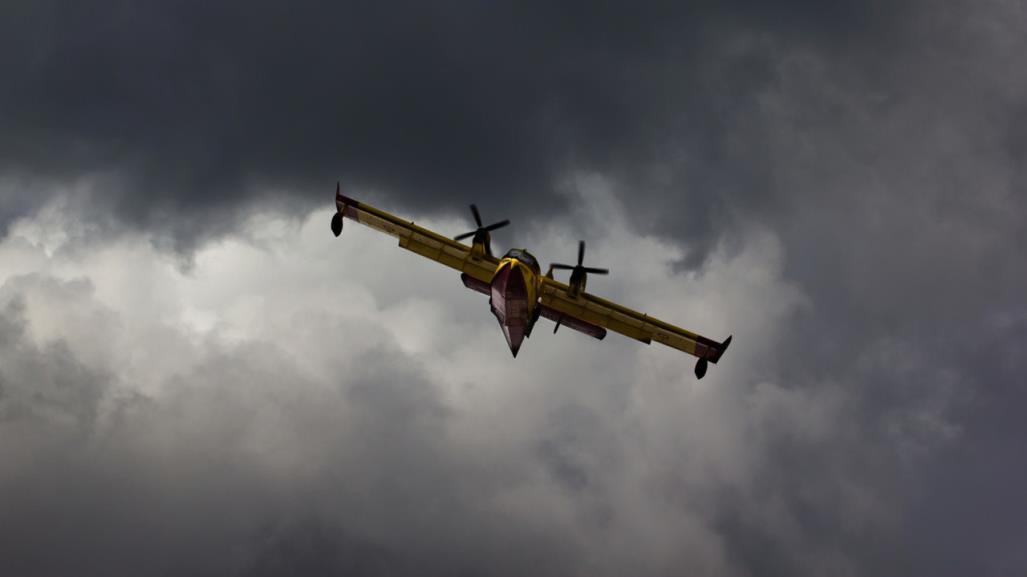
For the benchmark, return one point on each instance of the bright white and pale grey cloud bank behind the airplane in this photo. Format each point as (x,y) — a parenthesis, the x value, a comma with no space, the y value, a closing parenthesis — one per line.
(351,382)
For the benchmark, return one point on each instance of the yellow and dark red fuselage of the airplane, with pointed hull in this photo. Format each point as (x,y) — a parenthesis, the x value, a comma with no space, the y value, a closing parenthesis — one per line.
(514,296)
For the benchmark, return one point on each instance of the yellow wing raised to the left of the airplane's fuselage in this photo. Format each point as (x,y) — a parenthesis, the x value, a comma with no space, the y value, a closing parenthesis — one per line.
(471,261)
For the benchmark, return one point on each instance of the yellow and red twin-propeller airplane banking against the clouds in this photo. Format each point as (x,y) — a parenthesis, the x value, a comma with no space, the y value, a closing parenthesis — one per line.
(520,294)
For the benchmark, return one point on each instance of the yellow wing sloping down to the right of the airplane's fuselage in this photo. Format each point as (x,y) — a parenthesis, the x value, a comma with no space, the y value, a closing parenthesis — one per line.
(559,303)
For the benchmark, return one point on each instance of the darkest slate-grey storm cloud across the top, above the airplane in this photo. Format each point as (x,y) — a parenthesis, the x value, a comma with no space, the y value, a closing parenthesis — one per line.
(198,108)
